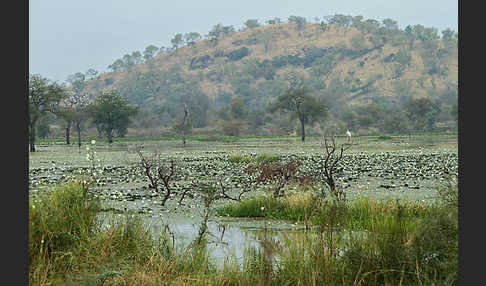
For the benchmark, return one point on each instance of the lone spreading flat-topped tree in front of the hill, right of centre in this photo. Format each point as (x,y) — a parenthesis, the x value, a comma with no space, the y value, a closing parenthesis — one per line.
(302,105)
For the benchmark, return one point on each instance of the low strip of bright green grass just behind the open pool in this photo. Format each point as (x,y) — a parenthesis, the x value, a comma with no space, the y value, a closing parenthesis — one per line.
(306,206)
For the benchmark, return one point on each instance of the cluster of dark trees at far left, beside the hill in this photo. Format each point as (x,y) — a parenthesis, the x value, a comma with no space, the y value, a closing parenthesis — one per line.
(110,112)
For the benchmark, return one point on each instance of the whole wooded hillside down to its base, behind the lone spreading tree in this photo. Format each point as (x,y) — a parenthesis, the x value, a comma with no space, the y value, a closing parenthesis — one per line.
(372,76)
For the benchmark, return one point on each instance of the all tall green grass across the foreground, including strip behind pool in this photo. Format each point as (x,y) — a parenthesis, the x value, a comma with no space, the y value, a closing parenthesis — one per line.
(397,244)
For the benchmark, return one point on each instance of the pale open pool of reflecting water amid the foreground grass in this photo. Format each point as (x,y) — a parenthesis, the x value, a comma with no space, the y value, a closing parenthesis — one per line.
(228,238)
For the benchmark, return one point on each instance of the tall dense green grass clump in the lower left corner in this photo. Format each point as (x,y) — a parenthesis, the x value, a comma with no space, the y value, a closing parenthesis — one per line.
(59,221)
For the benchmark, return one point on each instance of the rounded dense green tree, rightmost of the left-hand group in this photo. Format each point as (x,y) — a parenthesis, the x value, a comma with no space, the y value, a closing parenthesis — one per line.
(110,112)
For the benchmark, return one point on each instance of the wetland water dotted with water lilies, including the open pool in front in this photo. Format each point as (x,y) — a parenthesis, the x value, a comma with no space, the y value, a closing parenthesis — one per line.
(394,168)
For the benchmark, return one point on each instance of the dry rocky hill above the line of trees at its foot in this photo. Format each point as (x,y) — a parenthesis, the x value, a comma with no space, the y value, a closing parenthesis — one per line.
(345,61)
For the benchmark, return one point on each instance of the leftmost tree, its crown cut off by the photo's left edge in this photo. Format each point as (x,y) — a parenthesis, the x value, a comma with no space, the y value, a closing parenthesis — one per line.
(44,97)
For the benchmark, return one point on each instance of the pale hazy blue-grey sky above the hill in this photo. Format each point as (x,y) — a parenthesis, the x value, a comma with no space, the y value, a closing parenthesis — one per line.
(66,36)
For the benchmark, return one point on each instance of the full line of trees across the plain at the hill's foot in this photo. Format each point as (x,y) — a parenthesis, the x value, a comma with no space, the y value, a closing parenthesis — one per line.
(111,113)
